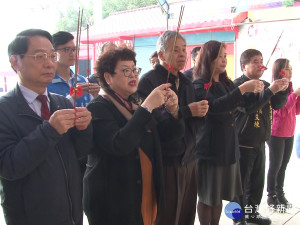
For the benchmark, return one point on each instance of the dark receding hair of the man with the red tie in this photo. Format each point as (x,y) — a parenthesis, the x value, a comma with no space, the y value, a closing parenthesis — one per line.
(19,45)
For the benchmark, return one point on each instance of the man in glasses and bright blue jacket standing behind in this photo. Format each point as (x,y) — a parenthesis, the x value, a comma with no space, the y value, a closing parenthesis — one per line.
(64,79)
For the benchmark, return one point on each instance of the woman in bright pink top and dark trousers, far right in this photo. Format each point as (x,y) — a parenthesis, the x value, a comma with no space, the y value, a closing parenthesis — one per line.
(282,137)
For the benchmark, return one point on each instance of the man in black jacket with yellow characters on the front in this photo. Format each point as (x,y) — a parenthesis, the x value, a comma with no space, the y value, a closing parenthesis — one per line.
(254,126)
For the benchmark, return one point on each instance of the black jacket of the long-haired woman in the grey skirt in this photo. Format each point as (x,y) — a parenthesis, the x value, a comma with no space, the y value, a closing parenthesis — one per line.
(218,139)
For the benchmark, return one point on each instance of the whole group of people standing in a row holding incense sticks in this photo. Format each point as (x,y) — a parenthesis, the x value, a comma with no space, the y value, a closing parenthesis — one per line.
(134,149)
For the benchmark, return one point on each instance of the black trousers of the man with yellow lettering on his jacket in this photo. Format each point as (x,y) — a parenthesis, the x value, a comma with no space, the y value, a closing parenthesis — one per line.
(252,166)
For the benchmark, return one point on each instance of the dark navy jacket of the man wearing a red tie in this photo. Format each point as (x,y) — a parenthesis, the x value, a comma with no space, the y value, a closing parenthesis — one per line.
(40,174)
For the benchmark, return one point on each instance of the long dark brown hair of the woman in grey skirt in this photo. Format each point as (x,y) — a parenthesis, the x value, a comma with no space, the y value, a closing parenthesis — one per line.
(209,52)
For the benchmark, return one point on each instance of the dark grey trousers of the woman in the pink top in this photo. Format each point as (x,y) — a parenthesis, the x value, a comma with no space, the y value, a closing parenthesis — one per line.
(280,150)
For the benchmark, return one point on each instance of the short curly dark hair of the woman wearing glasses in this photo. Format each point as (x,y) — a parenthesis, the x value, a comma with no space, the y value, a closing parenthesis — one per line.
(108,61)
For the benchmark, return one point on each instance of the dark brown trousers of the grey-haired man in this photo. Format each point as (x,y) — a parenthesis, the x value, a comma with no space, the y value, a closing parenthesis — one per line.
(181,195)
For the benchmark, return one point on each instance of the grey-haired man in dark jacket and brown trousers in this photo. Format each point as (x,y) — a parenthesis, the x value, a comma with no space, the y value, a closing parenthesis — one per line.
(178,155)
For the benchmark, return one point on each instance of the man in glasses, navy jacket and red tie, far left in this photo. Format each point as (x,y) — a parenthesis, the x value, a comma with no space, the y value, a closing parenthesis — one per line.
(42,138)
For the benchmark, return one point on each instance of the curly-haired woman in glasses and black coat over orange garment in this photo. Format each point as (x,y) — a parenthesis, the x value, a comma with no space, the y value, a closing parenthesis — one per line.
(123,182)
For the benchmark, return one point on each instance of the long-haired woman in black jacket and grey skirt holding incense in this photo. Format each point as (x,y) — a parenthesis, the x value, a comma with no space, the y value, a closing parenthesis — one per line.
(217,149)
